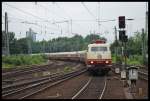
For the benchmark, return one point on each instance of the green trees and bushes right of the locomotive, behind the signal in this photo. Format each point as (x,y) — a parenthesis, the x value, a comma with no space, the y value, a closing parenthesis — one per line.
(133,49)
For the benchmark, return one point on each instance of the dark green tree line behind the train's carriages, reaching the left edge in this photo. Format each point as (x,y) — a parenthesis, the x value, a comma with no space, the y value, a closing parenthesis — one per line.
(60,44)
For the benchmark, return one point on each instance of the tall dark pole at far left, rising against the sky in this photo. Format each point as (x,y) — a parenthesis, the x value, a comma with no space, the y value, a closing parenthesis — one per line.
(6,32)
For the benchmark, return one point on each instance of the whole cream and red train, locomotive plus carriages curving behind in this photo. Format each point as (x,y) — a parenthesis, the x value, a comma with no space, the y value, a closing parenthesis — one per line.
(97,57)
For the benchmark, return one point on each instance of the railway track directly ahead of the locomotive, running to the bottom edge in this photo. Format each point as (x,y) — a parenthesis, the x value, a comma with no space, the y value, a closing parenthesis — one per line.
(93,89)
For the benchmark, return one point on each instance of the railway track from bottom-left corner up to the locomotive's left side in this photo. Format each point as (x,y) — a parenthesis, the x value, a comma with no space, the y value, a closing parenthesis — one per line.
(37,87)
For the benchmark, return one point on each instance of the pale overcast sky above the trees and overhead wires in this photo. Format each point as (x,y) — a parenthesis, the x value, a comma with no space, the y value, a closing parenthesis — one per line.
(53,19)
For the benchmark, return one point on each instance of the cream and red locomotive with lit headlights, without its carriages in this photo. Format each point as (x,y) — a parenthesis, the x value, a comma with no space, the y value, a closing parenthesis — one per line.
(99,56)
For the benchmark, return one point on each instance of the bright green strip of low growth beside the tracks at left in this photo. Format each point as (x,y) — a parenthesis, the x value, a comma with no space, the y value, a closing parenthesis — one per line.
(22,60)
